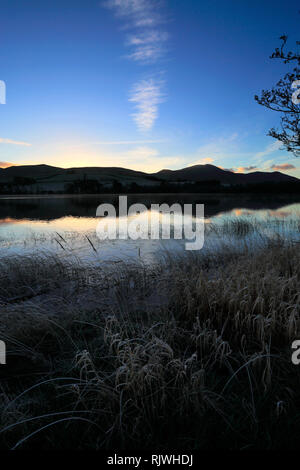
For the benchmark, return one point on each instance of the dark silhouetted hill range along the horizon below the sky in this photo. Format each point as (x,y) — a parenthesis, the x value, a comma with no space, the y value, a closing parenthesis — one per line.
(55,179)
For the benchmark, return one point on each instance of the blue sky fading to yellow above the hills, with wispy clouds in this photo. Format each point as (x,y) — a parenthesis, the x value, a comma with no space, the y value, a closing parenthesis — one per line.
(142,84)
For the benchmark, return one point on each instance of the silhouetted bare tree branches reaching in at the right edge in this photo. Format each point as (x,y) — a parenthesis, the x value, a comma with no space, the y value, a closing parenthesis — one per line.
(280,99)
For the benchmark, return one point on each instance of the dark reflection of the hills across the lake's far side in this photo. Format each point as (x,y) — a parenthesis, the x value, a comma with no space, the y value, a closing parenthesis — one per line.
(50,208)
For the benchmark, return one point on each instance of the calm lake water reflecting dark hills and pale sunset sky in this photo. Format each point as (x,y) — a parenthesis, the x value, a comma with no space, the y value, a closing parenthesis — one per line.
(62,223)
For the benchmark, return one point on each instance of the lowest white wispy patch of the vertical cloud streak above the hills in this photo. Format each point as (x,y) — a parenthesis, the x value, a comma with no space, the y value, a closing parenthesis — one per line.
(147,95)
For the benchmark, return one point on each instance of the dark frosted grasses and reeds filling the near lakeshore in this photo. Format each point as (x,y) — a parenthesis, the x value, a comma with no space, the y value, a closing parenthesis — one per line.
(192,354)
